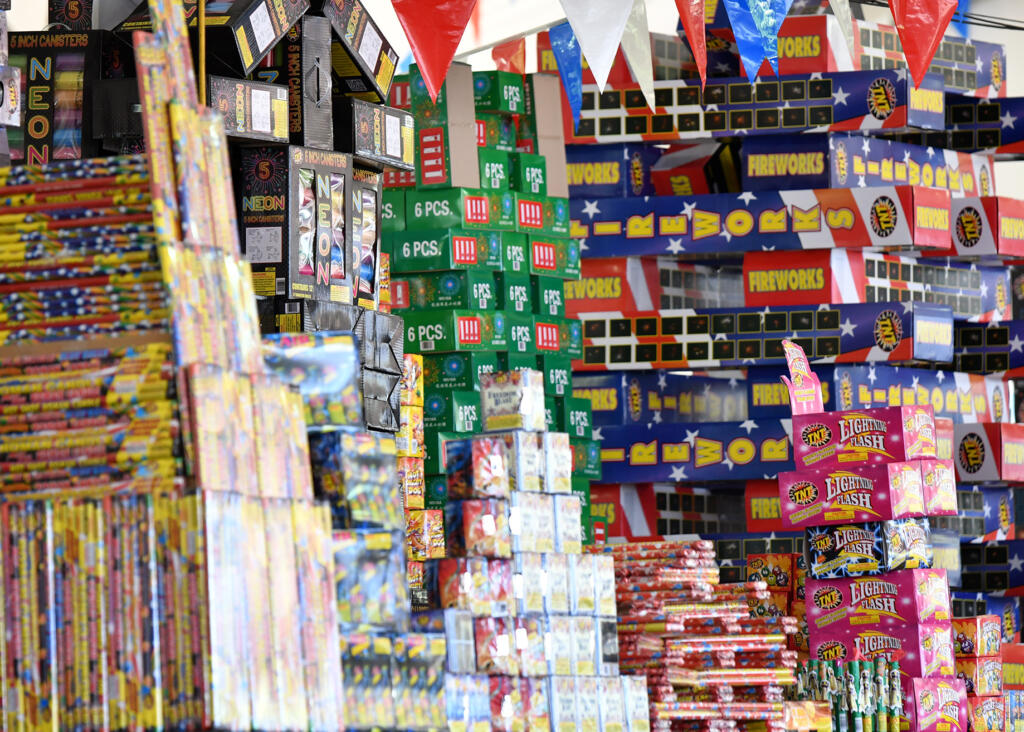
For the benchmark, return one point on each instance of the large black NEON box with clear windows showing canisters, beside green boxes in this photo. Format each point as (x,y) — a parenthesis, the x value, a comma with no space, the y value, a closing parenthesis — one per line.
(296,222)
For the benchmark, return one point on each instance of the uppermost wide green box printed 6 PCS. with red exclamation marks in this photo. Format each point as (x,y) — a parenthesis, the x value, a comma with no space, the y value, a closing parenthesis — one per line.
(465,208)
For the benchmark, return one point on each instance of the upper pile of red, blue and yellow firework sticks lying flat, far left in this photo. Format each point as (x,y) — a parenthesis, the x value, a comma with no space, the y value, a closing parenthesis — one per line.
(78,255)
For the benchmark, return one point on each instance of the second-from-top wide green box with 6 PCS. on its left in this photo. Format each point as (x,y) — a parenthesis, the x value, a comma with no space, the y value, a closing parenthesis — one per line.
(436,250)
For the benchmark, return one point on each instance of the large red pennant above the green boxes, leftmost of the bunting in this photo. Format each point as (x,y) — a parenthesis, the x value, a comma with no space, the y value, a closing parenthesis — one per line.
(435,29)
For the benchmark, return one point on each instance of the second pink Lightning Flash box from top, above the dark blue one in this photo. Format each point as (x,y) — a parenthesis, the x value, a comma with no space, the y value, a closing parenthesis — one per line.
(878,493)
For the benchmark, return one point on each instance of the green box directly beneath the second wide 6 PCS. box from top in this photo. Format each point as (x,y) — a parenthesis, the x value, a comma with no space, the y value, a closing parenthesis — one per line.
(464,289)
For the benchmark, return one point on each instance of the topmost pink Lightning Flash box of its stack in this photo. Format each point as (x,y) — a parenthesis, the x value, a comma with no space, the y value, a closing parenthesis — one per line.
(859,438)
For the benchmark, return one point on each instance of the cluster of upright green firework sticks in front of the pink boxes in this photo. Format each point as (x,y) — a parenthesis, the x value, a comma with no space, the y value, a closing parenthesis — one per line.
(863,696)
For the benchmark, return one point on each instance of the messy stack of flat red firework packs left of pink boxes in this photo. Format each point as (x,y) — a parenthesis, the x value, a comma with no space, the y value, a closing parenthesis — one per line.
(703,655)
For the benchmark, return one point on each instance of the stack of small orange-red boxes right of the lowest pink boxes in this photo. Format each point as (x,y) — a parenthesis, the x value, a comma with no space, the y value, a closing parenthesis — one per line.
(977,644)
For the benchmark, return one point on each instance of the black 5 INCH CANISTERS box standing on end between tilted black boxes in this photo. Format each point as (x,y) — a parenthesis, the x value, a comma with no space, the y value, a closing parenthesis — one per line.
(303,63)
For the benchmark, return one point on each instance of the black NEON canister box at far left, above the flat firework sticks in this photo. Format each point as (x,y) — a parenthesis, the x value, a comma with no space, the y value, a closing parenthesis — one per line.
(60,73)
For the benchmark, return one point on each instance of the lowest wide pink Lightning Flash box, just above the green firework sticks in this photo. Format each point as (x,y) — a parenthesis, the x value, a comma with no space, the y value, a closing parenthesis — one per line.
(924,652)
